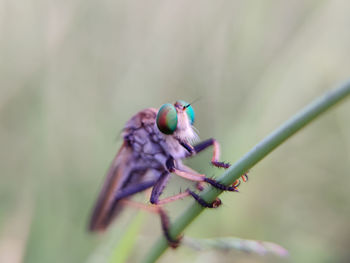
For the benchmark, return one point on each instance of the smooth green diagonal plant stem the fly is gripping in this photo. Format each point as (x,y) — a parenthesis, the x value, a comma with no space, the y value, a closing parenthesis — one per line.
(262,149)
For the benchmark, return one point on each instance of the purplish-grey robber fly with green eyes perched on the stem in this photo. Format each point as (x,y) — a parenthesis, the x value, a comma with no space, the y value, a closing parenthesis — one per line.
(154,144)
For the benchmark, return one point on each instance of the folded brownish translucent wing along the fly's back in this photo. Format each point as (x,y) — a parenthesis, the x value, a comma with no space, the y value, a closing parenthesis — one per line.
(118,173)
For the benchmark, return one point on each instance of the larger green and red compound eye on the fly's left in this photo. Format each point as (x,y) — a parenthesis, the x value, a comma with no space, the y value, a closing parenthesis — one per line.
(167,119)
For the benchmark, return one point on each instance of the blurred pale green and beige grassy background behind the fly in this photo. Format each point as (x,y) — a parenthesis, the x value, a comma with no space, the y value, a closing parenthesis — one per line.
(73,72)
